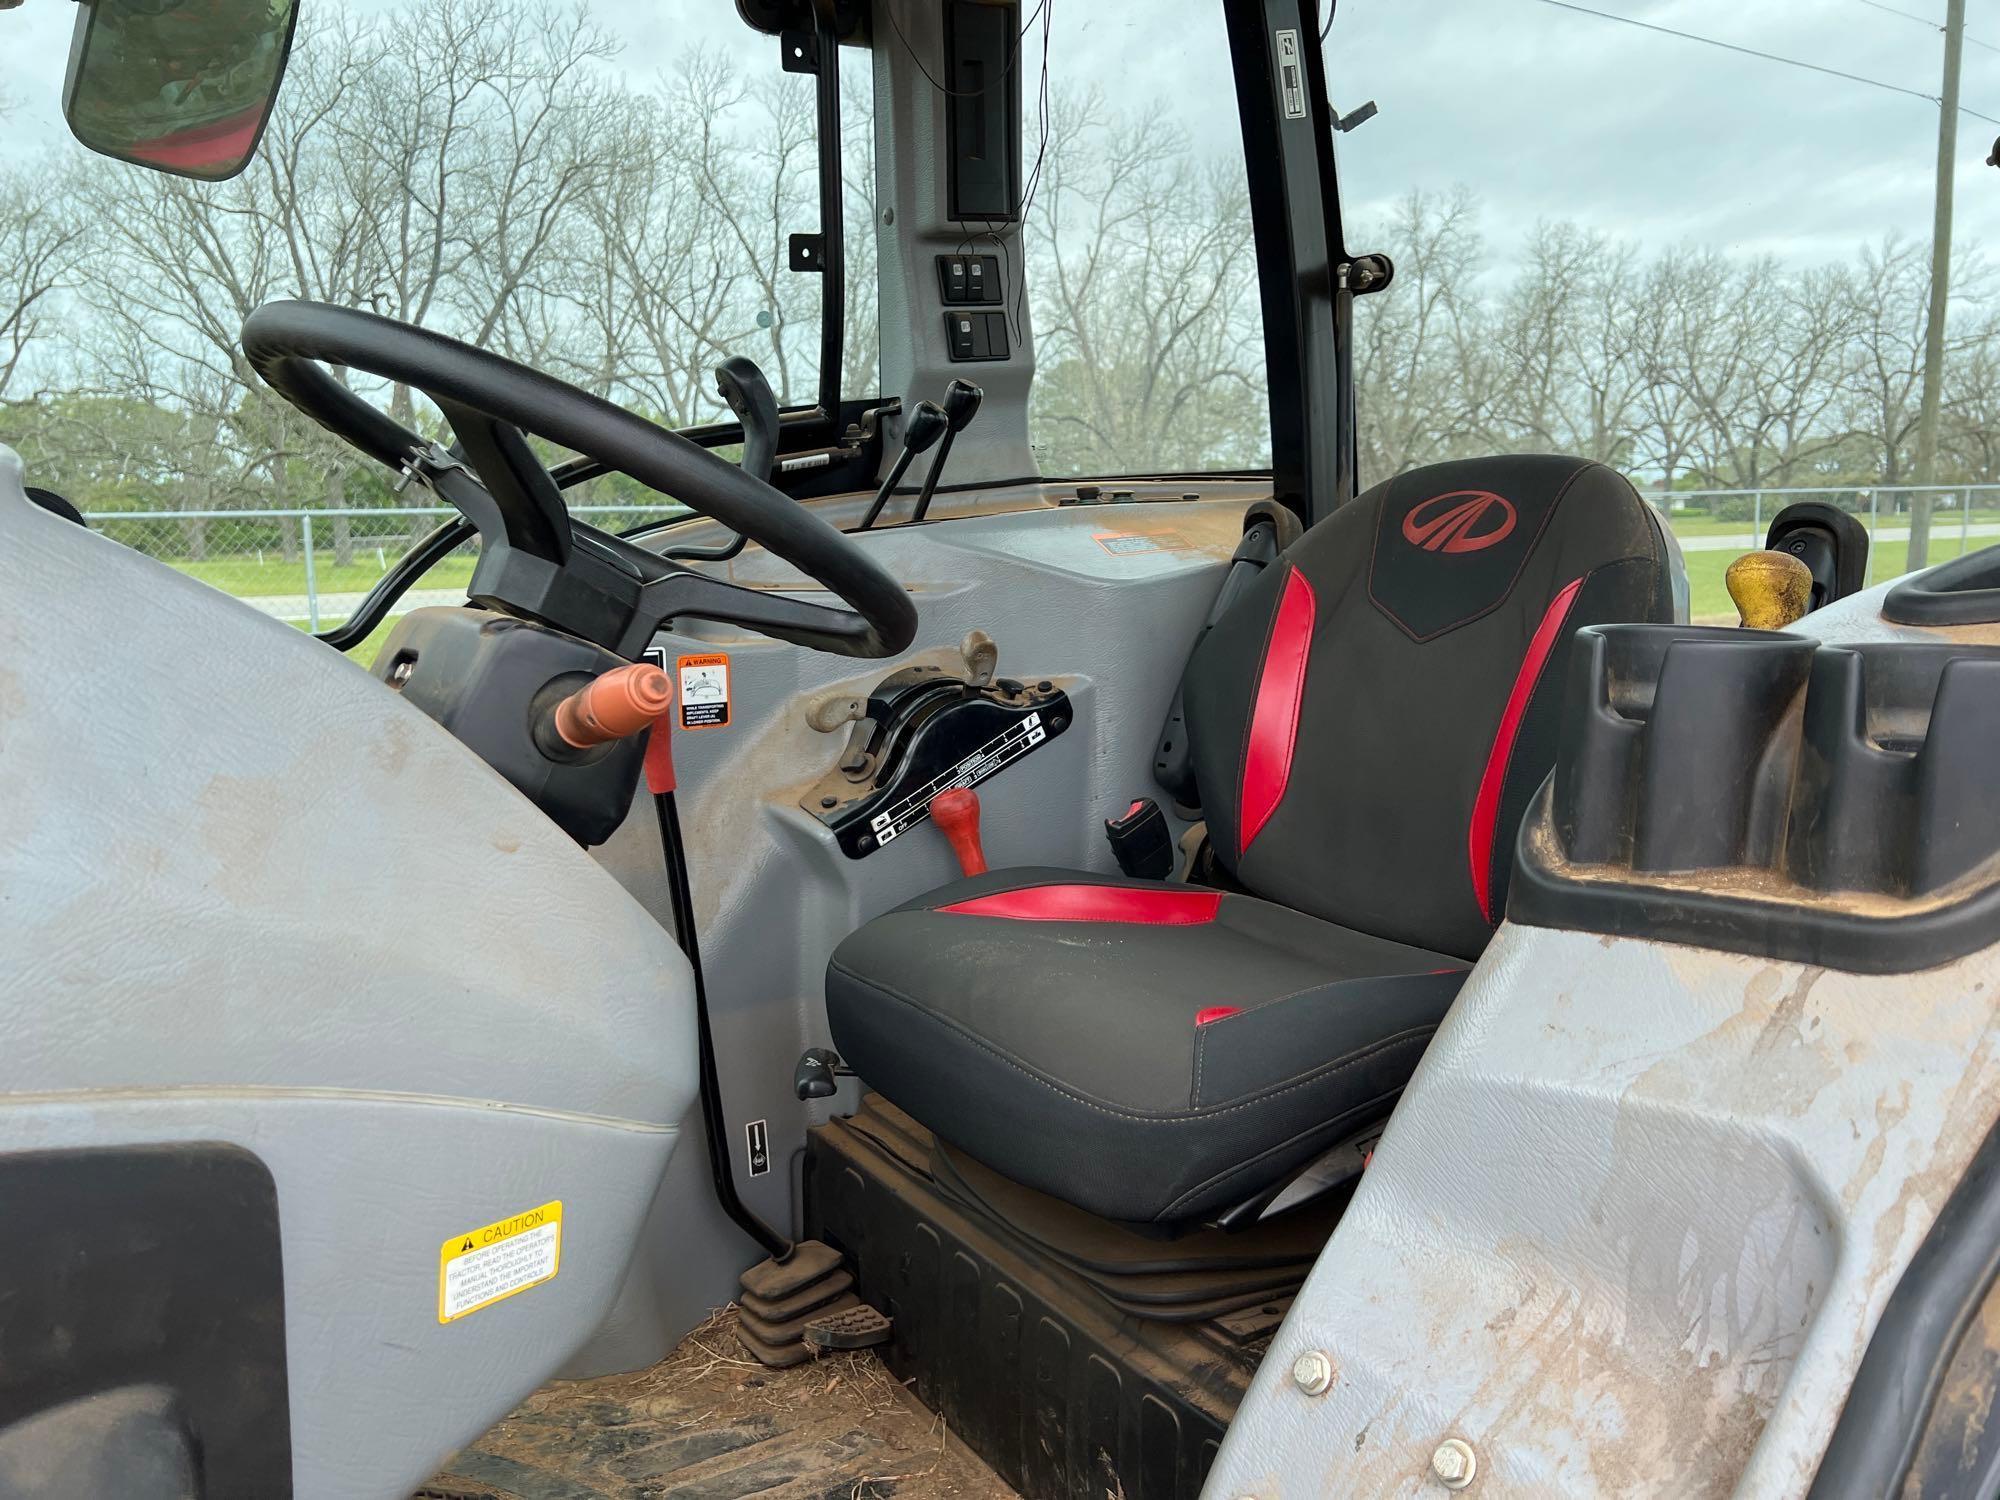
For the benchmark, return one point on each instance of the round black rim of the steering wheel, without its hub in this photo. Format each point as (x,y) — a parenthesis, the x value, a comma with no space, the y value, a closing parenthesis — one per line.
(293,343)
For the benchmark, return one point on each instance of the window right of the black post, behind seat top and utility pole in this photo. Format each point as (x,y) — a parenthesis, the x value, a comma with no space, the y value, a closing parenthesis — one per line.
(1689,241)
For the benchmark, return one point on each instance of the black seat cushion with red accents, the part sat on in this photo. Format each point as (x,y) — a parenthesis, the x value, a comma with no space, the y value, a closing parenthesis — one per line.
(1149,1053)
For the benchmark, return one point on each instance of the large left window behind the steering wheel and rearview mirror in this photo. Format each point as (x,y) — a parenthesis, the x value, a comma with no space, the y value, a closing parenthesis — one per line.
(603,193)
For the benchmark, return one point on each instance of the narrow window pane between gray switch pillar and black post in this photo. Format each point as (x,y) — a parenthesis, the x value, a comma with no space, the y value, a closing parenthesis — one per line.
(1141,259)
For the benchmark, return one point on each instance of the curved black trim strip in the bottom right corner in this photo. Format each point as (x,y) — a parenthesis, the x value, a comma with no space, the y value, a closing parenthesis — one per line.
(1897,1389)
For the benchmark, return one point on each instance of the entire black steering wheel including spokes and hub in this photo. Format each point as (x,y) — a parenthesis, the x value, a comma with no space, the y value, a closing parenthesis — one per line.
(537,561)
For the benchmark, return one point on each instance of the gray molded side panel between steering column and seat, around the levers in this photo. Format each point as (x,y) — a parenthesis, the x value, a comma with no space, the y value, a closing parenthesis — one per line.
(1109,601)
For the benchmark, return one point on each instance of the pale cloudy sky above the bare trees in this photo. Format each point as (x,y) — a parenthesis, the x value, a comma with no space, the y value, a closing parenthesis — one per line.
(1545,111)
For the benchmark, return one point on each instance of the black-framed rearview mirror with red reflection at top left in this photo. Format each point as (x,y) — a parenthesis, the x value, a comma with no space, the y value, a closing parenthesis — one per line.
(181,87)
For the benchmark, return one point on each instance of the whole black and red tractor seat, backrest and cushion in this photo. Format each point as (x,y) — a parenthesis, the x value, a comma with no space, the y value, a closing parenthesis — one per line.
(1369,725)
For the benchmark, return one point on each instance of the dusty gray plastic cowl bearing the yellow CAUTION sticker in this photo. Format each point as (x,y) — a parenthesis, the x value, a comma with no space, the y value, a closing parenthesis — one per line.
(249,895)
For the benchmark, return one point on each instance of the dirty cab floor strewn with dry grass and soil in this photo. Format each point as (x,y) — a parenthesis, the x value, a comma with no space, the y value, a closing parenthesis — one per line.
(713,1425)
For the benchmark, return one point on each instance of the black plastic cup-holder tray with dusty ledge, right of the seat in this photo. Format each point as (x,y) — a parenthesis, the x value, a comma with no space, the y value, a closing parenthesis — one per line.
(1767,795)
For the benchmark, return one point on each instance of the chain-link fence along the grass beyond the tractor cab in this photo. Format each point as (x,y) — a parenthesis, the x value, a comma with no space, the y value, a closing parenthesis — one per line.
(315,567)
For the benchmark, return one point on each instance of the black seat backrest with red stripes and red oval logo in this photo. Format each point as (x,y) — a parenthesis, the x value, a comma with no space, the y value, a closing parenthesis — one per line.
(1373,717)
